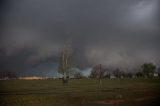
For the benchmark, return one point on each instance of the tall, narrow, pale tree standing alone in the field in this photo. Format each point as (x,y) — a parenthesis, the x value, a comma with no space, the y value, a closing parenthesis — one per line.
(65,62)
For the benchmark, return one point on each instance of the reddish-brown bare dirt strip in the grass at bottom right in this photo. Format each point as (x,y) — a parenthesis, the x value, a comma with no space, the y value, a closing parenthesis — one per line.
(119,101)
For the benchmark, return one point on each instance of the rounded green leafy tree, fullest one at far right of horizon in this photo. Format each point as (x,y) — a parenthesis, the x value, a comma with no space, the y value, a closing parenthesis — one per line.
(148,68)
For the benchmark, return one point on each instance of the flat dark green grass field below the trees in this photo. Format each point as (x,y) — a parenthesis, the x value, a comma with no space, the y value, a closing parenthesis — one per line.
(83,92)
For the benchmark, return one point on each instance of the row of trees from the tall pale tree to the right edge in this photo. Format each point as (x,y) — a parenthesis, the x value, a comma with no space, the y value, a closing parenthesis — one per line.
(99,72)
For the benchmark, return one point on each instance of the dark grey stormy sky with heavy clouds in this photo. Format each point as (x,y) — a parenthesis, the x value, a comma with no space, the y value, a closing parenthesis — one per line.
(116,33)
